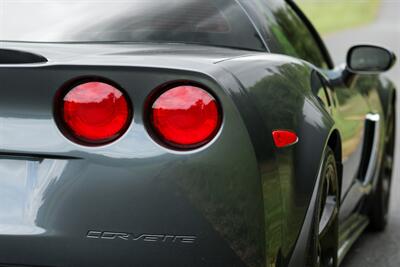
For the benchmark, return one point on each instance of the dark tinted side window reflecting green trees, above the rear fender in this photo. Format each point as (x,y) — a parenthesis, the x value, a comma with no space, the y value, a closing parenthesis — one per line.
(284,31)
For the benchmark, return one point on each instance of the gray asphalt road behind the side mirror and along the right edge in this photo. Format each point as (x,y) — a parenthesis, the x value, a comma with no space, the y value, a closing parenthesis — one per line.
(377,249)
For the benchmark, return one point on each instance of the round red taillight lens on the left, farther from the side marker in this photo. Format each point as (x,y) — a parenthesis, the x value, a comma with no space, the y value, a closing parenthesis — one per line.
(95,113)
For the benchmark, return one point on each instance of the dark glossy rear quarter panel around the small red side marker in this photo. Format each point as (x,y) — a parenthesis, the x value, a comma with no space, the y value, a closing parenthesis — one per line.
(277,93)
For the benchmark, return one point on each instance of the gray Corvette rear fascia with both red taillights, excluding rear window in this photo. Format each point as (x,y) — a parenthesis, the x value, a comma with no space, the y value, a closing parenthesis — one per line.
(131,197)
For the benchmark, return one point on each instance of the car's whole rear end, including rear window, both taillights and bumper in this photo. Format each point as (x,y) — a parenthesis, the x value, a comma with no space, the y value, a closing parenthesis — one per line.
(120,144)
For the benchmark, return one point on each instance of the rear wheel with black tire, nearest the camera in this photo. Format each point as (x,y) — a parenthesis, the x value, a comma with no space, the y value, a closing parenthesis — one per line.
(327,215)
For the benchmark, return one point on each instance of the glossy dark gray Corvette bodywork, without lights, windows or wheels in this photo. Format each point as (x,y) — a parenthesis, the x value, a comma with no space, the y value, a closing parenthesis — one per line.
(245,204)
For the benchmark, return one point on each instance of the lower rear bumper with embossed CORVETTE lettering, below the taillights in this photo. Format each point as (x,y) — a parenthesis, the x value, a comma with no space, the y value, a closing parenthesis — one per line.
(161,209)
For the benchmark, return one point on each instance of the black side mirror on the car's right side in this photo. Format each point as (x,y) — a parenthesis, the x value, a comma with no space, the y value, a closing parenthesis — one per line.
(369,59)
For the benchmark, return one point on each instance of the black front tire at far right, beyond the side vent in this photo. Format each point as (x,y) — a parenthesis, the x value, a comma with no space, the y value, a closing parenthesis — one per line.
(379,201)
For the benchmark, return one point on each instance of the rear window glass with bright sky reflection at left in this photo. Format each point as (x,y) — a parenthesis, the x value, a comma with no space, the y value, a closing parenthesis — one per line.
(212,22)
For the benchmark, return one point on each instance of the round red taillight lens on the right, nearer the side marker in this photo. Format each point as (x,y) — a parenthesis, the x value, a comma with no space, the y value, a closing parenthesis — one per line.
(186,116)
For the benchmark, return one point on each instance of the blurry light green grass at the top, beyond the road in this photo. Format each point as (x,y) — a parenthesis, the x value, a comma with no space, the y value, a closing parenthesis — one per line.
(334,15)
